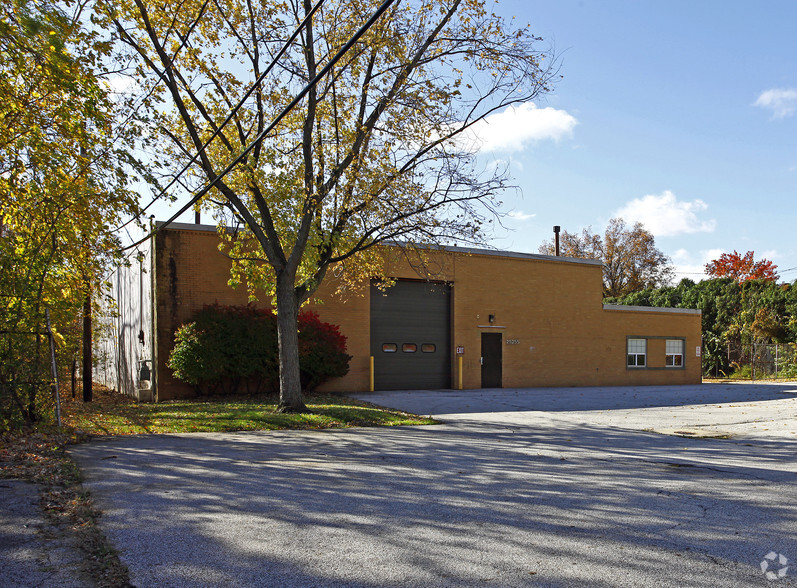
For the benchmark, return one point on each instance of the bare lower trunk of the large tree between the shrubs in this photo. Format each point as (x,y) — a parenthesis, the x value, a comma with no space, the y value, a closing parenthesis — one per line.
(288,344)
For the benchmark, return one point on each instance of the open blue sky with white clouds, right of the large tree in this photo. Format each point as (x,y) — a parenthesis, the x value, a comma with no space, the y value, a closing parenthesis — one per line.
(681,115)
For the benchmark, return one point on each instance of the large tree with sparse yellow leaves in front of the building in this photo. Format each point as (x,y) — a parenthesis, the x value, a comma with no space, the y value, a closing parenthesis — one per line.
(379,150)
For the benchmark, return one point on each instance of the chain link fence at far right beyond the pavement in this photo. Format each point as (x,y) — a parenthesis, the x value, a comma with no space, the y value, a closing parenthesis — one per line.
(762,361)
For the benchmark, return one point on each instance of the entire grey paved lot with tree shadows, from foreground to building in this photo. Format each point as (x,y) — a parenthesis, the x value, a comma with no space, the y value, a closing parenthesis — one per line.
(561,488)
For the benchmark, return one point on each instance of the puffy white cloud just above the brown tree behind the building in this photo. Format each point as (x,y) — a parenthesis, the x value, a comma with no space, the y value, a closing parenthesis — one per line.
(665,216)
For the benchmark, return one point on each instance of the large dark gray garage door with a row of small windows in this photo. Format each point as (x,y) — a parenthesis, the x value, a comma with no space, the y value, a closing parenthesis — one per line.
(410,336)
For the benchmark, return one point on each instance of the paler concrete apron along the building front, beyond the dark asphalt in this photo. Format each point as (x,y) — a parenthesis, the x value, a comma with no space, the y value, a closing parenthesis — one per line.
(734,410)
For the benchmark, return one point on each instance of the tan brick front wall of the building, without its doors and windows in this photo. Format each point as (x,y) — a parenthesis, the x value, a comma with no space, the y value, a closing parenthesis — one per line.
(551,307)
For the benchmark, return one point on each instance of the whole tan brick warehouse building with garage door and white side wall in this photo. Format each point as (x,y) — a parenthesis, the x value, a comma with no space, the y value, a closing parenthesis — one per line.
(488,319)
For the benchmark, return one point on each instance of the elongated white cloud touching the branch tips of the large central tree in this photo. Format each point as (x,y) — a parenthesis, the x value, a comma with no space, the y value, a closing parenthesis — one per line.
(516,127)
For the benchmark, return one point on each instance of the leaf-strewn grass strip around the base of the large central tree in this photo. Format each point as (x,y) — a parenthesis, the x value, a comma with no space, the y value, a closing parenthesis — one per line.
(111,413)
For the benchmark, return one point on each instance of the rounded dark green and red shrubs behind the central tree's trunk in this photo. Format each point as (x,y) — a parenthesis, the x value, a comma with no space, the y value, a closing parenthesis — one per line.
(226,347)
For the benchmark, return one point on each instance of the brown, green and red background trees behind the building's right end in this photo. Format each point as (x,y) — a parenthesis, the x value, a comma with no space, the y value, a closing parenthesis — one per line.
(746,312)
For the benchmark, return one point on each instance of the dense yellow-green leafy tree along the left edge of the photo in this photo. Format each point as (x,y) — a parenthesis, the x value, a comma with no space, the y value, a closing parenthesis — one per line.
(63,183)
